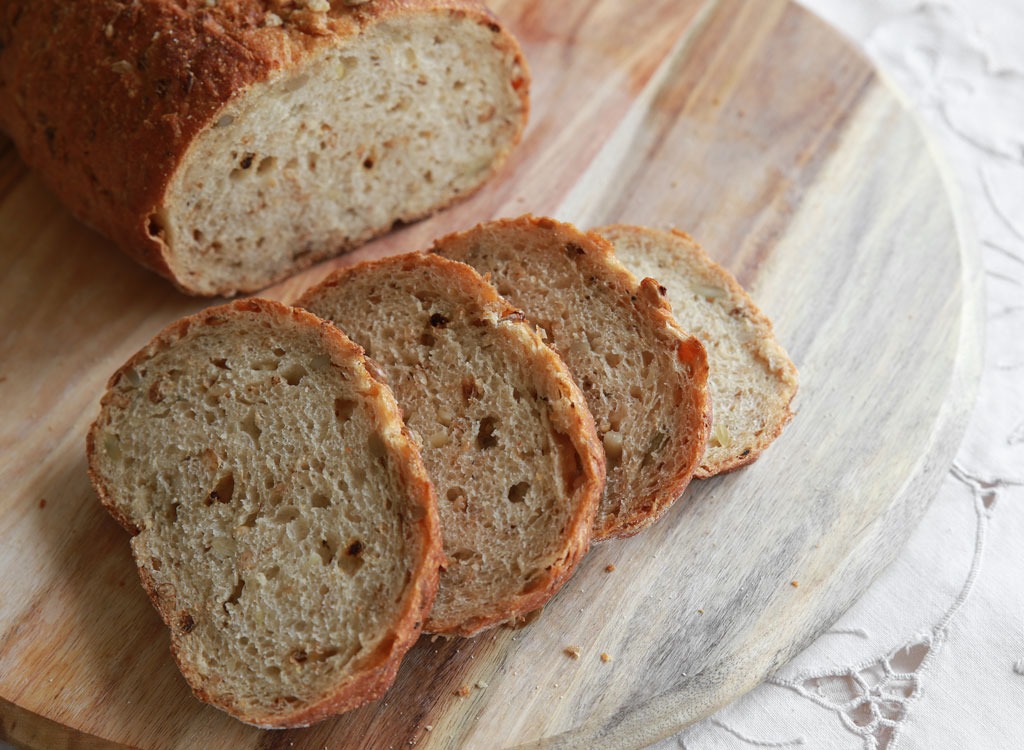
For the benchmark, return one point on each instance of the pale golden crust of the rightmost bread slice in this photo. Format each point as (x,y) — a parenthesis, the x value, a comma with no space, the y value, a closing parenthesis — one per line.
(765,347)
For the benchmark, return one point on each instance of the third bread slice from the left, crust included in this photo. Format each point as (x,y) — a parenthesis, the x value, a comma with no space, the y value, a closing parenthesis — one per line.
(645,380)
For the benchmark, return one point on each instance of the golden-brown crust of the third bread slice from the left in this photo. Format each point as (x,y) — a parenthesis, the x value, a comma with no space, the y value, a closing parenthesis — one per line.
(595,258)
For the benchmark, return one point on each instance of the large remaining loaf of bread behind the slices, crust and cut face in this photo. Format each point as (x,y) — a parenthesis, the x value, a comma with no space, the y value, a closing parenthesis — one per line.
(240,142)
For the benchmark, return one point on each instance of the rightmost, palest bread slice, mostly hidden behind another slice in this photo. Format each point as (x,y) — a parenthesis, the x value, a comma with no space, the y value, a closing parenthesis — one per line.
(752,379)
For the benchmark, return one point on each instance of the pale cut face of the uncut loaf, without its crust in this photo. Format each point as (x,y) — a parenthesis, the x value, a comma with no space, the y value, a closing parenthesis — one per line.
(393,124)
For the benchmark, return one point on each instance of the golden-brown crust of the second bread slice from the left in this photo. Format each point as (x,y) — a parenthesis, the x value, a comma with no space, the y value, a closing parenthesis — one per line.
(582,433)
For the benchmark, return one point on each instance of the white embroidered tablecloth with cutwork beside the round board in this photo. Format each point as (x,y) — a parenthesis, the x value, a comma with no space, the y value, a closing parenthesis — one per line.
(933,656)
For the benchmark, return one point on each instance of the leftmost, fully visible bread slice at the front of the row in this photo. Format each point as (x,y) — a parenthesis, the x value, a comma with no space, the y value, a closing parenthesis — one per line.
(283,523)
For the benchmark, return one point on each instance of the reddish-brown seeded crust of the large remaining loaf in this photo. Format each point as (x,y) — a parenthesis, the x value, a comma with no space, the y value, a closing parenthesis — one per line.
(163,71)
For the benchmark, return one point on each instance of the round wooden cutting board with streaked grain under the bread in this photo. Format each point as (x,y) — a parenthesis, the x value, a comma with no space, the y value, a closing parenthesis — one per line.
(751,126)
